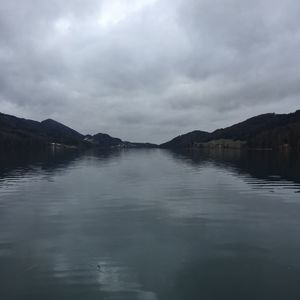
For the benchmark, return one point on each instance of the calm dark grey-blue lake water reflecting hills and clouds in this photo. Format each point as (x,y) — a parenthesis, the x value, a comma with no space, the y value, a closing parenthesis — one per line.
(150,224)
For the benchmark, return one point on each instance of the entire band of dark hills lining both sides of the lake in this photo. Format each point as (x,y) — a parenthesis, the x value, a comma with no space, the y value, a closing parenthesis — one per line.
(267,131)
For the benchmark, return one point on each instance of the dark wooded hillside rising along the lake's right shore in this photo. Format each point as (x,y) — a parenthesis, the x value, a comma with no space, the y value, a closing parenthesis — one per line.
(263,131)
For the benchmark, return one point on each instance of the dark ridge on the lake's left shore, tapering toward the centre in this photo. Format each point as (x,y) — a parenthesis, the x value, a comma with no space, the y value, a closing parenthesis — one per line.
(18,132)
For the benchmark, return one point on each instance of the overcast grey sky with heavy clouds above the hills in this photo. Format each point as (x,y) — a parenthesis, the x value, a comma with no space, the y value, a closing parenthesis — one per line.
(148,70)
